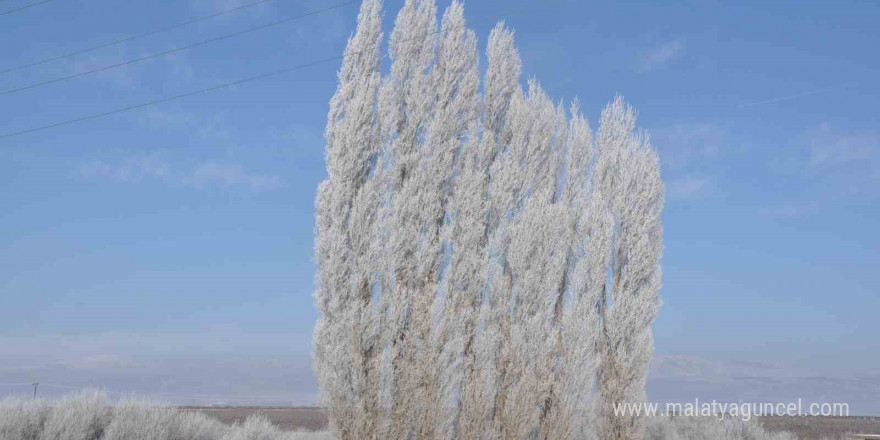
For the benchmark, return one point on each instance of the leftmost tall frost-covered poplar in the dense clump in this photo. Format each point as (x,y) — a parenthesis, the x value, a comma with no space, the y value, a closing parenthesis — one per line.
(344,342)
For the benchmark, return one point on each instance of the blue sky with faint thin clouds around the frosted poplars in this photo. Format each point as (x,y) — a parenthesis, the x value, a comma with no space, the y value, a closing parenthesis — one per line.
(185,229)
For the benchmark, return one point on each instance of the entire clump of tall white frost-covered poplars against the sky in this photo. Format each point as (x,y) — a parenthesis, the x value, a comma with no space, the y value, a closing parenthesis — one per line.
(482,260)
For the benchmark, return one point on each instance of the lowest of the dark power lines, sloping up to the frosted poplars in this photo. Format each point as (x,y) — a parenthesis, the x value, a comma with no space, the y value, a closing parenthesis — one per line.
(213,88)
